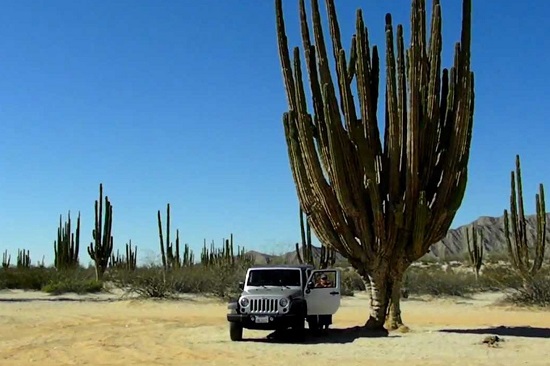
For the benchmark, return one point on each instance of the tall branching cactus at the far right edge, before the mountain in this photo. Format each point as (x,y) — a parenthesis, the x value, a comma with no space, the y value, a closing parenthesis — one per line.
(516,238)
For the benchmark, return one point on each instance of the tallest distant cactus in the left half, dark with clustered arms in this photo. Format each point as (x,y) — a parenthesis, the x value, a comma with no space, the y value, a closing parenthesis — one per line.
(101,248)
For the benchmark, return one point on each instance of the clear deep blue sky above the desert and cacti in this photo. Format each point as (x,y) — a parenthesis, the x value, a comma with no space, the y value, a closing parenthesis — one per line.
(181,102)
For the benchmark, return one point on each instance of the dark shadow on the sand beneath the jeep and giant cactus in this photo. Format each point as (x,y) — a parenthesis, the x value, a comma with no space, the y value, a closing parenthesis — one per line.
(328,336)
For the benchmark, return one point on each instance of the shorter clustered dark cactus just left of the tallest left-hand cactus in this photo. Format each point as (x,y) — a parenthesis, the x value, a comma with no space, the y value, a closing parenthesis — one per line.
(66,247)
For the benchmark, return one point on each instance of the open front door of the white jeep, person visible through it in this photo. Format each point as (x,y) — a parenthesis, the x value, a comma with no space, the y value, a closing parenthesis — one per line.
(323,295)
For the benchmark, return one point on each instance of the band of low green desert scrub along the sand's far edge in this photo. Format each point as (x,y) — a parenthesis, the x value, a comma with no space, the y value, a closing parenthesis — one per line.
(221,281)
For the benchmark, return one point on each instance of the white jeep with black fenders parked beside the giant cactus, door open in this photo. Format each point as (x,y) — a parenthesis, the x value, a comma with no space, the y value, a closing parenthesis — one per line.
(278,297)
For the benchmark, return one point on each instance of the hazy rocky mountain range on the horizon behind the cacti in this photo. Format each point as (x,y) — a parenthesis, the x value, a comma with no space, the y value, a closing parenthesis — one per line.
(453,245)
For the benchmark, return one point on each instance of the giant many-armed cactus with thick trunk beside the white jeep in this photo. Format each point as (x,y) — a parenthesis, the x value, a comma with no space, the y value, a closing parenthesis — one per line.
(370,199)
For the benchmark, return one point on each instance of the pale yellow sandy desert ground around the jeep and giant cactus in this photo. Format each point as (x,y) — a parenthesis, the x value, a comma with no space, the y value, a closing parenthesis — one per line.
(100,330)
